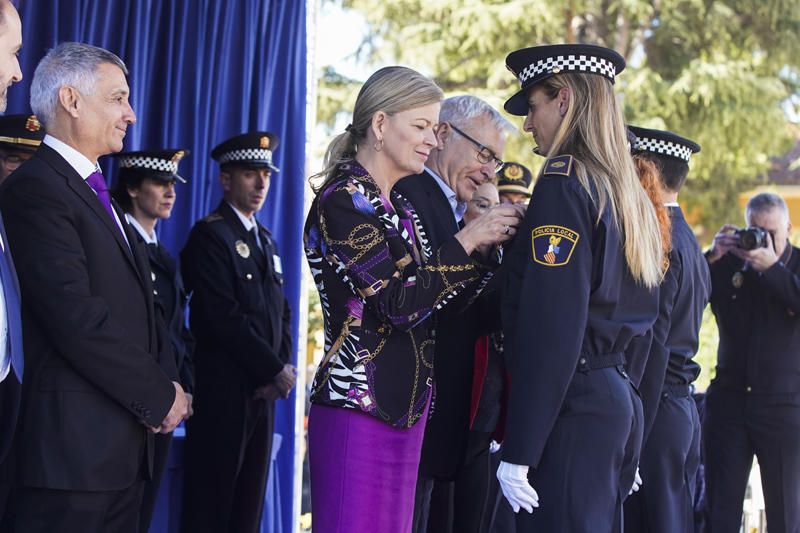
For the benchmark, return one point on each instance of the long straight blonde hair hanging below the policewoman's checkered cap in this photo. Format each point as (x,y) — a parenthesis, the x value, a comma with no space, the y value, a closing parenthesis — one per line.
(593,131)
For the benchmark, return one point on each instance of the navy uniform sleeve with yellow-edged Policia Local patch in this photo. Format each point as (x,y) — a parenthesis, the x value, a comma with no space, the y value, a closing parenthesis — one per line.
(545,312)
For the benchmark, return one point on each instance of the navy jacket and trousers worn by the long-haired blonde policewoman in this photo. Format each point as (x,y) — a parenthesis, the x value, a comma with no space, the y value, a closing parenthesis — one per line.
(570,309)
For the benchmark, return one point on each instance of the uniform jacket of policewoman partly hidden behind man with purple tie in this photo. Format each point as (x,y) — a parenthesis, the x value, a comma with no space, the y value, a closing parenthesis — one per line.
(170,299)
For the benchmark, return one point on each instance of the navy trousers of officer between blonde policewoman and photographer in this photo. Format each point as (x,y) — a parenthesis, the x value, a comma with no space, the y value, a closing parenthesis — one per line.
(668,465)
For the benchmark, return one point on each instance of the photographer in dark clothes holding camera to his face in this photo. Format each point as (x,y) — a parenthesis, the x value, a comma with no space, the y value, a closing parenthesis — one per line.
(753,404)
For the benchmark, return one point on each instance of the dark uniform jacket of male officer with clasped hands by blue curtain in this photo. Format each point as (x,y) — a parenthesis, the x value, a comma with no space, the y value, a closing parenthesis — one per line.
(238,313)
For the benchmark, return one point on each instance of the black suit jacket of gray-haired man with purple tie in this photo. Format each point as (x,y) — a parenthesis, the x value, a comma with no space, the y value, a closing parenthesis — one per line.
(92,380)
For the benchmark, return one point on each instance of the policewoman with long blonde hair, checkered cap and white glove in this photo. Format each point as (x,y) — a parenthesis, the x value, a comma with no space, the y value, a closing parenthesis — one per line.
(577,292)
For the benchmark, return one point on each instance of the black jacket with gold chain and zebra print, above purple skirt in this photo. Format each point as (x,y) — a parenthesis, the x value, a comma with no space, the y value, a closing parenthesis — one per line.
(379,283)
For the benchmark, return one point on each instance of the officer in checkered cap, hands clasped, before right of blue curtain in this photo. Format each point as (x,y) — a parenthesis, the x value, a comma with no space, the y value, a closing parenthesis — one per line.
(241,322)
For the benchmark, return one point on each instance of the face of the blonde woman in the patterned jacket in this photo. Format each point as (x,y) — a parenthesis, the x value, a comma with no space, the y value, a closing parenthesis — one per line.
(408,138)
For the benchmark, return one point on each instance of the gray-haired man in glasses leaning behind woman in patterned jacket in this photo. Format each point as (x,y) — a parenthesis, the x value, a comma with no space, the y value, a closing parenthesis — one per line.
(454,468)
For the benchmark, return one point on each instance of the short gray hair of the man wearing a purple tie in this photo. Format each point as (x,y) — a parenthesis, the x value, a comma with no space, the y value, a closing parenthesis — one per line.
(73,64)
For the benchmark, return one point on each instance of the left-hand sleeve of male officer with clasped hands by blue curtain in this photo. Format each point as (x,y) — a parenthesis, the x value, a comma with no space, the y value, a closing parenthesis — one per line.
(208,275)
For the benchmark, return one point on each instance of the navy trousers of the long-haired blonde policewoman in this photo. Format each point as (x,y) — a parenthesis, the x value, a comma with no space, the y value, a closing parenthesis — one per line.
(590,458)
